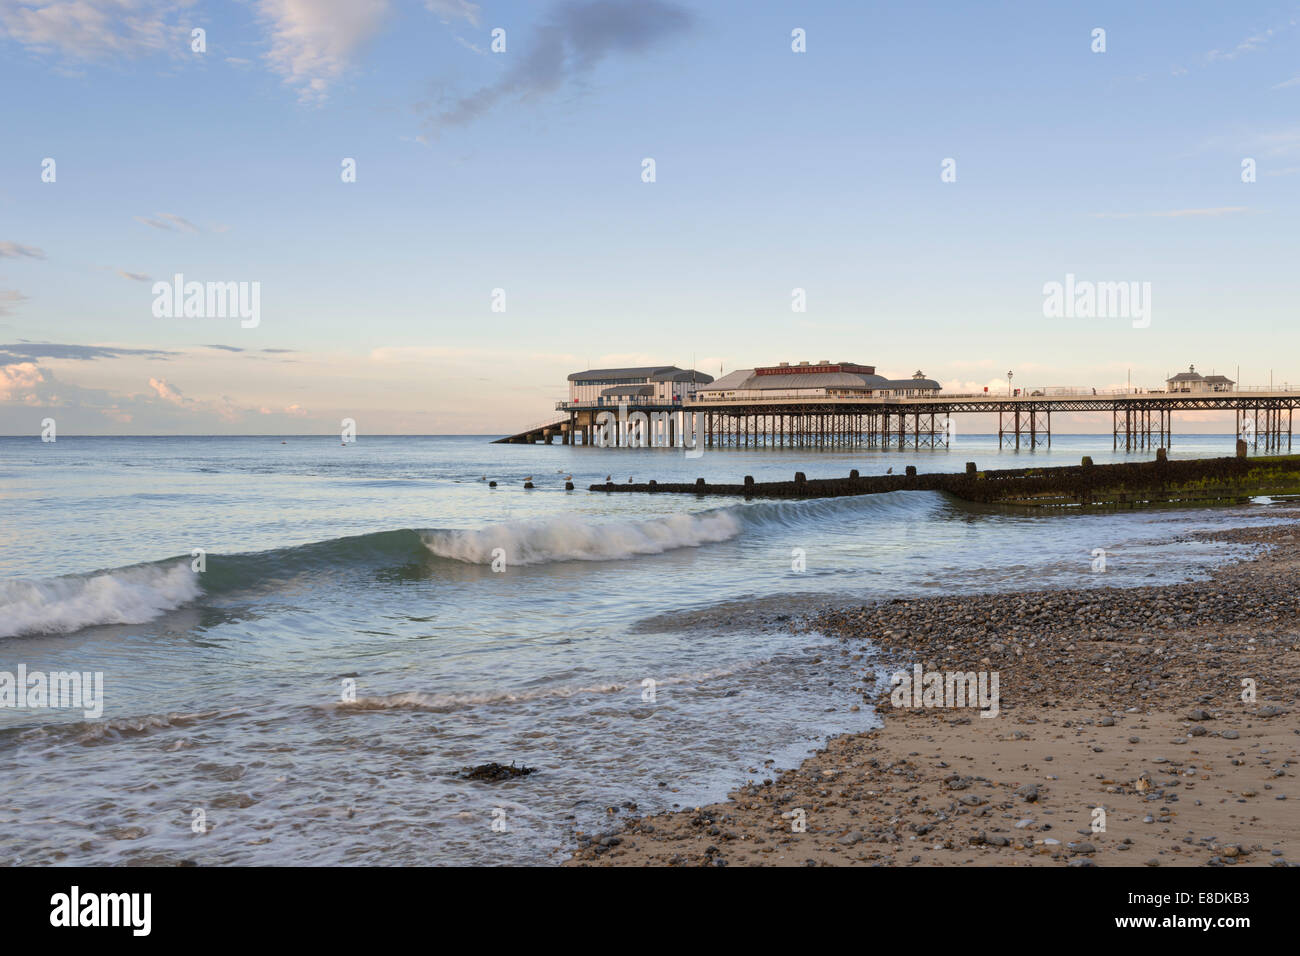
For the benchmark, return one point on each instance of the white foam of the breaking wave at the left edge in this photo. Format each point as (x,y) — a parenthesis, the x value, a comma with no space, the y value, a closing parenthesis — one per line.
(125,596)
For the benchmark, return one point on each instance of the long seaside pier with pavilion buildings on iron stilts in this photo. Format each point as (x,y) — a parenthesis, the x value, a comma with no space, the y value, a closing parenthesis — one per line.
(844,405)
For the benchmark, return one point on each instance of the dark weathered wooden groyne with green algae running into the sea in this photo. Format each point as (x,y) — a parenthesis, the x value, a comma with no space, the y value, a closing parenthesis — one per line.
(1125,486)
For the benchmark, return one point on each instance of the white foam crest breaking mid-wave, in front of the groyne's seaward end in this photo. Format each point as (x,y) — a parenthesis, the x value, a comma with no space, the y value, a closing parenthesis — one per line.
(574,539)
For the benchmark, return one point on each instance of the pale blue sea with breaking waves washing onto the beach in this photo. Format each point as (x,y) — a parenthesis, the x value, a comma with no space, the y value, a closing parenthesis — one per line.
(305,646)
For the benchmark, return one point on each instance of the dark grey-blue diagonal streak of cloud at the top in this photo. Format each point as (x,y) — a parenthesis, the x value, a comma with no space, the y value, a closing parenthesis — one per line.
(571,44)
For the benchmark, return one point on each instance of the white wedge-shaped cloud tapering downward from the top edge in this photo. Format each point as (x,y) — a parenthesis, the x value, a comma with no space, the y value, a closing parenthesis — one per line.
(314,42)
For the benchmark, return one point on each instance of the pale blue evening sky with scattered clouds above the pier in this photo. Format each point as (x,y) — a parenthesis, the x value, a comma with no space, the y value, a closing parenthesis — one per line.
(921,171)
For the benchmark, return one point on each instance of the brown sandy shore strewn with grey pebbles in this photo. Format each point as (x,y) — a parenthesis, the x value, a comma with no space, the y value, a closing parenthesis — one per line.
(1128,700)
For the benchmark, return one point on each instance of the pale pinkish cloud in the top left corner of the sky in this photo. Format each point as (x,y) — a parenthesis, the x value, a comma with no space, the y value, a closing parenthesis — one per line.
(97,29)
